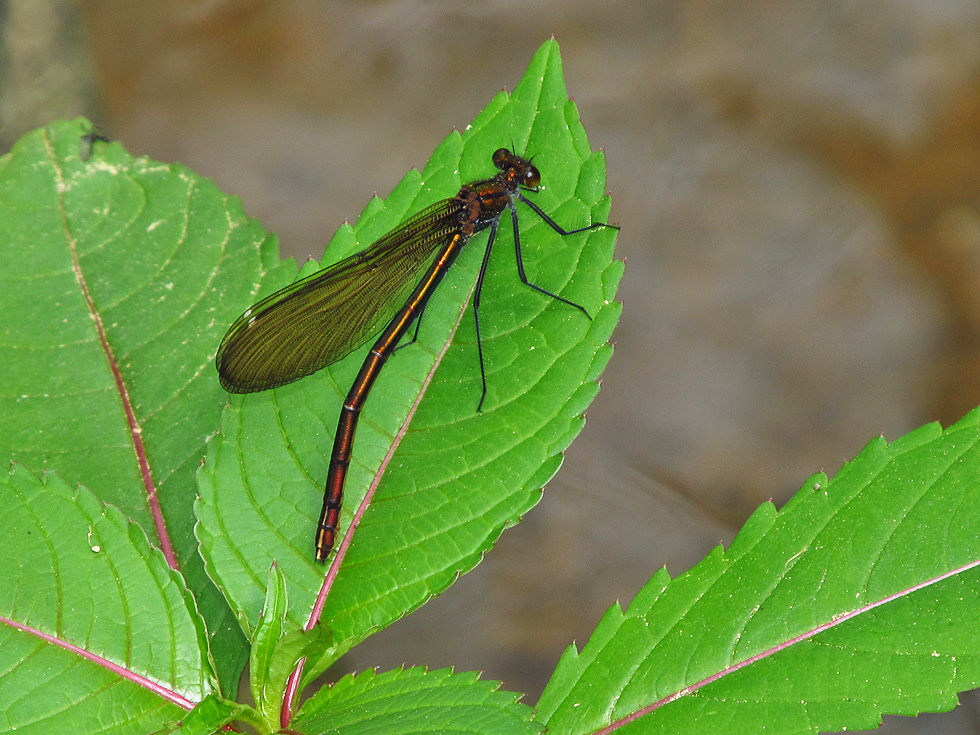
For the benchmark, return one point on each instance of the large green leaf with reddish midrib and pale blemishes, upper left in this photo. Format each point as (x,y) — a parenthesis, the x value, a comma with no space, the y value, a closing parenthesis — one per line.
(120,275)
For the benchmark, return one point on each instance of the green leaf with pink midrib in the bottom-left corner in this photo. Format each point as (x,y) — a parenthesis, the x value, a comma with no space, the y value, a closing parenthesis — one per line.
(99,635)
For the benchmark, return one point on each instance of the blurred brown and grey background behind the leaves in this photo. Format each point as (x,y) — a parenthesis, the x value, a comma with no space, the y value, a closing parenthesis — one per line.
(799,190)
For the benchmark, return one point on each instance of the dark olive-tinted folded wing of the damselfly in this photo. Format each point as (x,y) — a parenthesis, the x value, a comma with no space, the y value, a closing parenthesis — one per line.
(324,317)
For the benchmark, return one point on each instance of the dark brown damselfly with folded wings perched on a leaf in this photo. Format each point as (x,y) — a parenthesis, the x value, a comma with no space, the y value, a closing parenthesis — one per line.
(326,316)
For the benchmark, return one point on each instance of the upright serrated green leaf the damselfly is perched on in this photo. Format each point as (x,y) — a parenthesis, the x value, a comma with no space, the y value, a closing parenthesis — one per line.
(455,478)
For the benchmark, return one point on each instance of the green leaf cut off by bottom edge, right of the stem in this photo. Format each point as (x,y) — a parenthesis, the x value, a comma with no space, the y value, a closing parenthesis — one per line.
(414,701)
